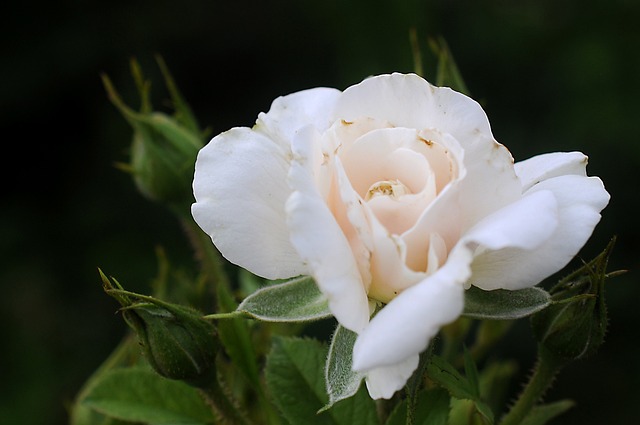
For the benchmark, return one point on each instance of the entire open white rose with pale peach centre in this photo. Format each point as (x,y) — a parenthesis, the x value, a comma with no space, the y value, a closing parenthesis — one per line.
(392,193)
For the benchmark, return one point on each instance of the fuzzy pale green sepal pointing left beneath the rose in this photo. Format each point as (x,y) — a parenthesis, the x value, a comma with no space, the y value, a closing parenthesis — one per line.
(296,300)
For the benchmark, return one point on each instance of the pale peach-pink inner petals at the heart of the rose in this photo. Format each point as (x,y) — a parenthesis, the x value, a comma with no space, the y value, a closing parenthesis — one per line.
(398,173)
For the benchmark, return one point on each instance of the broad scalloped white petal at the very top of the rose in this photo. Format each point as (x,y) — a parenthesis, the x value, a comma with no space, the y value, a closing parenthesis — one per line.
(407,100)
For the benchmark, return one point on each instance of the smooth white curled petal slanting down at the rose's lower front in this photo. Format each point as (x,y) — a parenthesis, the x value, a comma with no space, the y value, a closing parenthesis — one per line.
(404,327)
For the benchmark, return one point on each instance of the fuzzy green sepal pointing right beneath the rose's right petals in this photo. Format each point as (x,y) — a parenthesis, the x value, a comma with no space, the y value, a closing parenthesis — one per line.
(502,304)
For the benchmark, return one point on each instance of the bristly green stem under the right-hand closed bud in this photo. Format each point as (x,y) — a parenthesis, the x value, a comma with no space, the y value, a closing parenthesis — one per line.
(543,375)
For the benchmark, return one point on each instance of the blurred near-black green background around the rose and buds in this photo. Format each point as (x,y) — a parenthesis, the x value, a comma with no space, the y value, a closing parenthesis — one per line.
(553,76)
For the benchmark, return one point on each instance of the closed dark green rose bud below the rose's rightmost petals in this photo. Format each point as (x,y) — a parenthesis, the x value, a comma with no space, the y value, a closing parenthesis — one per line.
(574,325)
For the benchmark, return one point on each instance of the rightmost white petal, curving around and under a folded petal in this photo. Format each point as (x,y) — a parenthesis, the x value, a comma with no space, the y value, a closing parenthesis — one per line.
(580,200)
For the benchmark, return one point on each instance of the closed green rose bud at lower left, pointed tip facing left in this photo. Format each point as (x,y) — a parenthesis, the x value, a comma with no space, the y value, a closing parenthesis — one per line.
(176,341)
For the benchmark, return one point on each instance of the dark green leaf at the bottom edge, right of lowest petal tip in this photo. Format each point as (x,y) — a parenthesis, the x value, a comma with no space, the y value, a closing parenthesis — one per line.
(432,409)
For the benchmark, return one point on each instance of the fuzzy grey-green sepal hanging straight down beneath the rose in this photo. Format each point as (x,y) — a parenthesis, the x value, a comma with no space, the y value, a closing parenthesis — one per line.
(342,382)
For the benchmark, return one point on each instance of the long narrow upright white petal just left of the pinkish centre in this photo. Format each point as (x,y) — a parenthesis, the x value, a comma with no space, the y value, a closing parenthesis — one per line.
(320,241)
